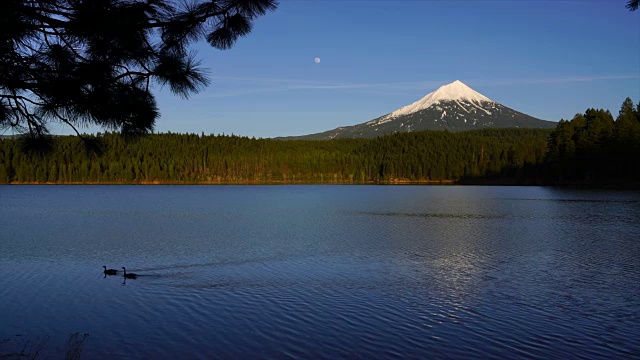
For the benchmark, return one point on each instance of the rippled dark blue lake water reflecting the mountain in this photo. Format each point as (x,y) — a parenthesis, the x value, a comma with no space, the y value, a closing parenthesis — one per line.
(320,272)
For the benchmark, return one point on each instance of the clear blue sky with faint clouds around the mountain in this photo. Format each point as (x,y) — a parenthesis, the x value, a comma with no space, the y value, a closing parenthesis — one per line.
(549,59)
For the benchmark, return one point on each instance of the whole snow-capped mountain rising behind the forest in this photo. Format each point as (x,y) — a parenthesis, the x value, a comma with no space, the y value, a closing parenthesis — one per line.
(455,107)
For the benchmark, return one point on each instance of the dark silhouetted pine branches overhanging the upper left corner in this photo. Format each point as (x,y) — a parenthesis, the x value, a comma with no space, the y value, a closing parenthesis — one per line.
(93,62)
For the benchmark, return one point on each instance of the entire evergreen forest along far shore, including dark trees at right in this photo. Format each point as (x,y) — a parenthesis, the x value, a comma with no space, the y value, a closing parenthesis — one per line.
(591,148)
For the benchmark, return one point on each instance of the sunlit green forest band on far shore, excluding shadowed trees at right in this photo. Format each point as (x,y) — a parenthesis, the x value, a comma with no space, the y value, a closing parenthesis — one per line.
(190,158)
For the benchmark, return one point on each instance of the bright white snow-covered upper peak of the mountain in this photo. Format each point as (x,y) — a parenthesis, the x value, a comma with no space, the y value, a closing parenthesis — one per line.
(456,91)
